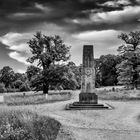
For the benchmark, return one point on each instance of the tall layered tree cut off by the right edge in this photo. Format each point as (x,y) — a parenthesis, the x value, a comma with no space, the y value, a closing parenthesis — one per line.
(129,68)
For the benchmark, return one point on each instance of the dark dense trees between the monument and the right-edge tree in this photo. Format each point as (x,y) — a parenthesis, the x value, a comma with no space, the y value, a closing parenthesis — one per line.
(105,68)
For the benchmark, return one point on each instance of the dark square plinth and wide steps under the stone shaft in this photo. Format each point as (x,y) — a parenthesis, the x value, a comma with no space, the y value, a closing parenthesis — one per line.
(87,101)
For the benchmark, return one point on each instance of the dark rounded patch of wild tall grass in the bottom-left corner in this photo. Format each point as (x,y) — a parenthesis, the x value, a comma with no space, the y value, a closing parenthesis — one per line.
(19,125)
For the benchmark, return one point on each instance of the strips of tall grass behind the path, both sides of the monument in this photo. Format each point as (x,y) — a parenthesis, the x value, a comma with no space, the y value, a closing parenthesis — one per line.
(105,93)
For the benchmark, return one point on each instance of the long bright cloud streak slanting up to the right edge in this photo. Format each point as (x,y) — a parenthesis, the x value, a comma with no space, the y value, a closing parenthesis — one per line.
(126,19)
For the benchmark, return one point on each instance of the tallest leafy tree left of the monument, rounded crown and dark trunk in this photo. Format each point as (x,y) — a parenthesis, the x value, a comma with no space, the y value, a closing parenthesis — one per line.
(46,51)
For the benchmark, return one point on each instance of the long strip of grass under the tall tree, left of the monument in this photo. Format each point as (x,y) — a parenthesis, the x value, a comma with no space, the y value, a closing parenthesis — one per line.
(35,98)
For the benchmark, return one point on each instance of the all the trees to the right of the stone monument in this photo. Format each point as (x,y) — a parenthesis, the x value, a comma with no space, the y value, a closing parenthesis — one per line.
(124,68)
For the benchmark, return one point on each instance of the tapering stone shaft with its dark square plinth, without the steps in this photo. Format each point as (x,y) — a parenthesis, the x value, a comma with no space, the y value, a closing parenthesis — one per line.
(88,76)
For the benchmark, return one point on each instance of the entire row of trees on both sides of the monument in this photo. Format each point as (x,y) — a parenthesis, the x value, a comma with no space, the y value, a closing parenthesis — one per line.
(54,72)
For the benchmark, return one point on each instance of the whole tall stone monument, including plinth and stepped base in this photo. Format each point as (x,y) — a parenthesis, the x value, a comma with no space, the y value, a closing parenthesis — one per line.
(87,97)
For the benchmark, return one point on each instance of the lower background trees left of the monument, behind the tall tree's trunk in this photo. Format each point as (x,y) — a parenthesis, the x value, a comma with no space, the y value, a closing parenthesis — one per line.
(60,77)
